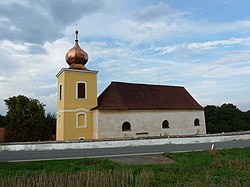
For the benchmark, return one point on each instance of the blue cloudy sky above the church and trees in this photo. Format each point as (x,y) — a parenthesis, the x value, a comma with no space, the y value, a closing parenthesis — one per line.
(203,46)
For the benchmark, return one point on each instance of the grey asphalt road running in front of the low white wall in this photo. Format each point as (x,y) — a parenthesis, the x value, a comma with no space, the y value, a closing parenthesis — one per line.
(20,156)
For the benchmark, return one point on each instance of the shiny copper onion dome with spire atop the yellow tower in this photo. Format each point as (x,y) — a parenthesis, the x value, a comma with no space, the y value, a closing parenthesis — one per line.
(76,57)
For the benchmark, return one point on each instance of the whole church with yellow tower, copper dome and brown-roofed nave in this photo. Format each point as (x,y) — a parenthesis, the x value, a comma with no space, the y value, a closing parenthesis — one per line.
(122,109)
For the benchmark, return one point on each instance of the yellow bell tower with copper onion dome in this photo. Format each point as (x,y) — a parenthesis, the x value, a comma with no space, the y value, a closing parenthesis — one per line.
(77,95)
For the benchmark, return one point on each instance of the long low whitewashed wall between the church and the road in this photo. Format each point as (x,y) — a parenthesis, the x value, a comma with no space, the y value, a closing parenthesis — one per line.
(40,146)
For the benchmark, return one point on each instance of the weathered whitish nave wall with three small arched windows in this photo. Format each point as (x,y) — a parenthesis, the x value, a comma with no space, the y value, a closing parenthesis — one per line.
(149,123)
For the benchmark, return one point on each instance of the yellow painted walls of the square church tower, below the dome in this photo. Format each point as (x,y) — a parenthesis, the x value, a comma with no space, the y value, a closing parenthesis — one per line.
(69,106)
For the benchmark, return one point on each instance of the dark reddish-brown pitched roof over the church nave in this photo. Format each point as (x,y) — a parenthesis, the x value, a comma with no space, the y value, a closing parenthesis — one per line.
(128,96)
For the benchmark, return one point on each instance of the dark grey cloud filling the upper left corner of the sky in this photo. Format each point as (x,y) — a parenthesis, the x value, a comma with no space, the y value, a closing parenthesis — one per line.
(41,21)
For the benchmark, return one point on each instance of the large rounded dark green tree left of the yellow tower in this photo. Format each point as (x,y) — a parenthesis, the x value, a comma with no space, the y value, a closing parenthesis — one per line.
(25,120)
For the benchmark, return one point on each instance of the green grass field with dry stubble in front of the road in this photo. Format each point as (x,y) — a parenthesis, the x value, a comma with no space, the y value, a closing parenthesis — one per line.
(218,168)
